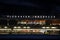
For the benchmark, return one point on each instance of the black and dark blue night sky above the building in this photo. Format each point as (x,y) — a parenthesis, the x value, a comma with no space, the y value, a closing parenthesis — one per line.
(21,7)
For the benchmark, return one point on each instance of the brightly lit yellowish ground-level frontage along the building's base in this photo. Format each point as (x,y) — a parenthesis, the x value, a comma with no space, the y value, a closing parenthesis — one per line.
(31,31)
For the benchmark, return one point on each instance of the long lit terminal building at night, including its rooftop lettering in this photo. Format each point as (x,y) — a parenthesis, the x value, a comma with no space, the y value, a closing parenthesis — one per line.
(29,24)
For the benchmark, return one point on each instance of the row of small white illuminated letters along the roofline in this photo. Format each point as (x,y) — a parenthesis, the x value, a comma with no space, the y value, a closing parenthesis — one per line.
(30,16)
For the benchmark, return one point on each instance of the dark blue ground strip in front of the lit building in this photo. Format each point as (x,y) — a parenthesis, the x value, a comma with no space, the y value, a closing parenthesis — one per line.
(18,36)
